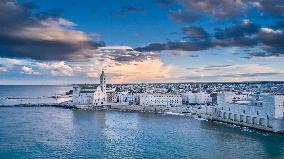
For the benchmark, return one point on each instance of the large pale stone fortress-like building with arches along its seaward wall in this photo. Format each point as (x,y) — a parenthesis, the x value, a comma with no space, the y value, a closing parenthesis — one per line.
(264,111)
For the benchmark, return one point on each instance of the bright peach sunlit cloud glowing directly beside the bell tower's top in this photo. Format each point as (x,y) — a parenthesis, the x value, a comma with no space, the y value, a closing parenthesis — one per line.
(151,70)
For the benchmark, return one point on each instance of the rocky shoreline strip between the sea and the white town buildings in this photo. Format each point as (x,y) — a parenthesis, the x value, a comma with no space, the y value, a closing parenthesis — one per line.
(174,111)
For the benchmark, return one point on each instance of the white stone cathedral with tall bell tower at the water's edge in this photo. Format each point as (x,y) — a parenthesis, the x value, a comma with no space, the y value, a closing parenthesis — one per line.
(90,94)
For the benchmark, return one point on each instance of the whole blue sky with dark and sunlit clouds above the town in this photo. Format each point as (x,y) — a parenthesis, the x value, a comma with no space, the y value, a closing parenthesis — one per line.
(65,42)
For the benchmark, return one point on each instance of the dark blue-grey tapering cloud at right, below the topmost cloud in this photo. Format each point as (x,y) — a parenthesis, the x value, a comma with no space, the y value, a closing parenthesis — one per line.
(245,34)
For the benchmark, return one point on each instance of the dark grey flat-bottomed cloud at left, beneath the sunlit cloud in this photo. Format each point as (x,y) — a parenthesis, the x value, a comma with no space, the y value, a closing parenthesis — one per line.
(14,47)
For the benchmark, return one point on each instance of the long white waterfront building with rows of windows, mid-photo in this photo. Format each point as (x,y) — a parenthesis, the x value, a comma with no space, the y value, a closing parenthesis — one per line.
(147,99)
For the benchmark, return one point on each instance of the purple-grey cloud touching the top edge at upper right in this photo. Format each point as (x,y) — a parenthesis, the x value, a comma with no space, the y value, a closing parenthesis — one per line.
(191,10)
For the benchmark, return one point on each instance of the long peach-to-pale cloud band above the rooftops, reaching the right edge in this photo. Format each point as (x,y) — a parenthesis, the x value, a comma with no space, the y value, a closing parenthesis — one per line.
(154,70)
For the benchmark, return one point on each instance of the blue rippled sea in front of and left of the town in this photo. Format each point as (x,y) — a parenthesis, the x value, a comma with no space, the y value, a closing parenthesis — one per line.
(49,132)
